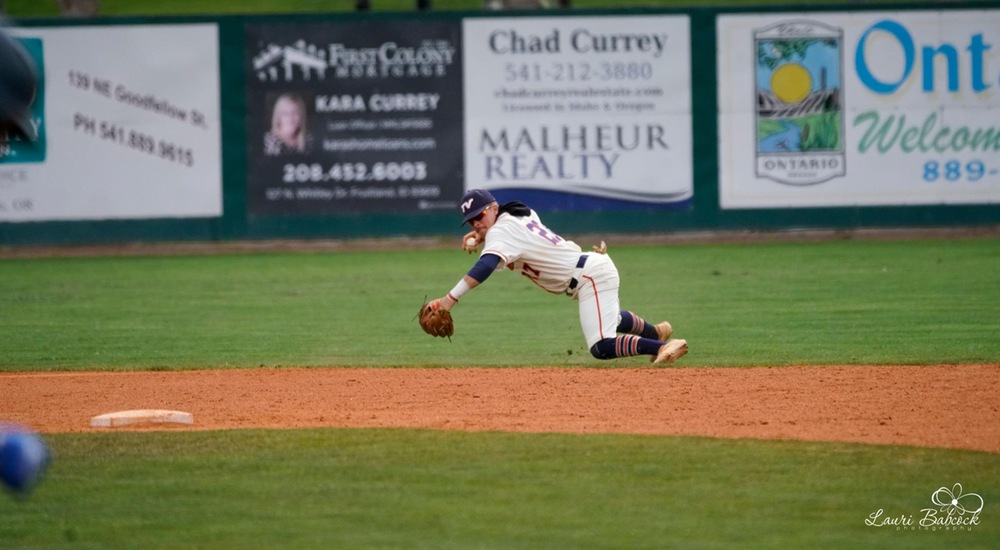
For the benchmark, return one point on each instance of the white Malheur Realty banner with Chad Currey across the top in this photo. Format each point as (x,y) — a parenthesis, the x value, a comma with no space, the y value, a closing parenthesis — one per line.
(580,113)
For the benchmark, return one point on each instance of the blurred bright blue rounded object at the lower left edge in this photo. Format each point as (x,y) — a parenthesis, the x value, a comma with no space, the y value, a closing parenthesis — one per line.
(24,457)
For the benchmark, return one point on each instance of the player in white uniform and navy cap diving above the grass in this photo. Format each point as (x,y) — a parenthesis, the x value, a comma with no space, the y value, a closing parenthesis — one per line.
(514,237)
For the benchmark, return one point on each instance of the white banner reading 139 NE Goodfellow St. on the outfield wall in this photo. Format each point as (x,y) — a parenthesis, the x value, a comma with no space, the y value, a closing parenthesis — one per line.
(126,126)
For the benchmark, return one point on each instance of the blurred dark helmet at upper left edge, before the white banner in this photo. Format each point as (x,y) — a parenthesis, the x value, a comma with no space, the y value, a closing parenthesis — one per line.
(18,84)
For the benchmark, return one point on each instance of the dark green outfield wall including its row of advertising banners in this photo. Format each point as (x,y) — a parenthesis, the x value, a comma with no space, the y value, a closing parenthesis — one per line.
(634,121)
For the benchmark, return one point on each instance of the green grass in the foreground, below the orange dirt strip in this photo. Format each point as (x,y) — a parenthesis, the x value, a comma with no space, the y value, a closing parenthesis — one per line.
(424,489)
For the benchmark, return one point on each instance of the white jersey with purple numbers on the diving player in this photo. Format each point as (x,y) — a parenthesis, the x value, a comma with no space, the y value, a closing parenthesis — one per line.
(528,247)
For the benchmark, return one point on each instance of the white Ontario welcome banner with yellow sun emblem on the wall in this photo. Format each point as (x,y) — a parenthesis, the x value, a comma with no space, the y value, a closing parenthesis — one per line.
(859,109)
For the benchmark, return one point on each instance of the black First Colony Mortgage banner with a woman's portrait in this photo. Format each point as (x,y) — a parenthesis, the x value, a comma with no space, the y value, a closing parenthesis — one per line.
(349,116)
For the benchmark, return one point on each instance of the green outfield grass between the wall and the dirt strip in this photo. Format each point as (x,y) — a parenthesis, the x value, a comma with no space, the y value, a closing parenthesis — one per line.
(838,302)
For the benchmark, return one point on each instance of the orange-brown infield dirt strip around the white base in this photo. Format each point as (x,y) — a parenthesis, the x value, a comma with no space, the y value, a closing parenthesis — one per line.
(944,406)
